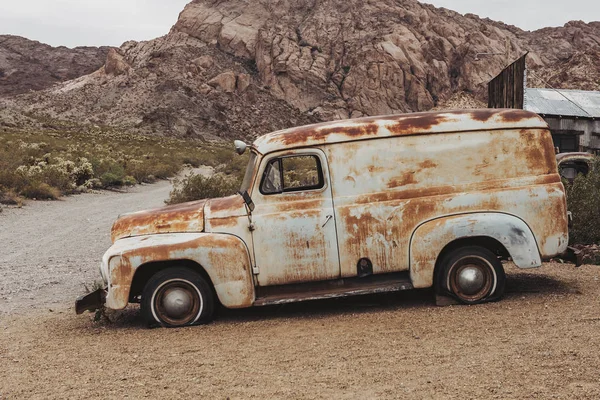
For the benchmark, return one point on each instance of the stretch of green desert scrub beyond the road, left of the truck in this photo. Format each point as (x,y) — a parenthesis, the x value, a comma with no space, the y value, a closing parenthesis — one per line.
(46,164)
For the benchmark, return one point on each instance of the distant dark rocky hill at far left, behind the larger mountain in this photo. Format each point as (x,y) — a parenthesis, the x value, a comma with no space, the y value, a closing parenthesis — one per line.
(27,65)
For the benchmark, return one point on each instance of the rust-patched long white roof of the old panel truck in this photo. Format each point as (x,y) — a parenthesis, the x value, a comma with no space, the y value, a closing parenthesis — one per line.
(398,125)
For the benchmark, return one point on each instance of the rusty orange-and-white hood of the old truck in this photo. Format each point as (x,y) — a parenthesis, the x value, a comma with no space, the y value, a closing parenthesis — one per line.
(185,217)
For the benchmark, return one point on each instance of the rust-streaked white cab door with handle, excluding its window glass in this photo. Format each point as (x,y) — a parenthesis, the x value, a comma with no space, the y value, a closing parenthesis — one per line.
(294,233)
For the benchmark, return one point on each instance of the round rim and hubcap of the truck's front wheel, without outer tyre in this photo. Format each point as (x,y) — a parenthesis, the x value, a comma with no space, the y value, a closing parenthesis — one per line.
(177,302)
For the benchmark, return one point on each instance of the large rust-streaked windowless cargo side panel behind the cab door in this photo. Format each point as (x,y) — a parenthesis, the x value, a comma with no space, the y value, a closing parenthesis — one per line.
(383,189)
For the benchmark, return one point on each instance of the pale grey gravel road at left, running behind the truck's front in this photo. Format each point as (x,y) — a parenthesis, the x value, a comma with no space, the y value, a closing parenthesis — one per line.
(49,250)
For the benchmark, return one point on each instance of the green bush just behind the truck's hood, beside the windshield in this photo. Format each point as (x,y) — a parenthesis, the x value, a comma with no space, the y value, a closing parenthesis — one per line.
(196,187)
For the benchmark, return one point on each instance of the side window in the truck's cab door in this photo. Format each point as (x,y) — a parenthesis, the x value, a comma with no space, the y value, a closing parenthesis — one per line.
(291,174)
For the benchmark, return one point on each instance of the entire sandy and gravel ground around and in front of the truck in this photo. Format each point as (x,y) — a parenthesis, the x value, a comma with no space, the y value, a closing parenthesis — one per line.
(540,341)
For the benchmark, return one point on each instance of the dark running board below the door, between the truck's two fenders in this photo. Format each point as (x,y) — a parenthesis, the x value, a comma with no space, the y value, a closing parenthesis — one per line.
(283,294)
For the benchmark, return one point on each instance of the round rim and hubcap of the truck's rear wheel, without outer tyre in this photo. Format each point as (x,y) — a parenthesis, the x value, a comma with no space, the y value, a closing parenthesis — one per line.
(472,279)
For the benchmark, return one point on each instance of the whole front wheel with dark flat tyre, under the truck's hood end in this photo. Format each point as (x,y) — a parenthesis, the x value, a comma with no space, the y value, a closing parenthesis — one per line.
(177,297)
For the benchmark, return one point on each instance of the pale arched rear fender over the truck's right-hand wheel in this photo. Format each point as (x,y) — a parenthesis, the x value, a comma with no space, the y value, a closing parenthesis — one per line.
(430,238)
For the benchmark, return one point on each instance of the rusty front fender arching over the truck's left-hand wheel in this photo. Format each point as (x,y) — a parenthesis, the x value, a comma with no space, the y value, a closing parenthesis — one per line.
(225,259)
